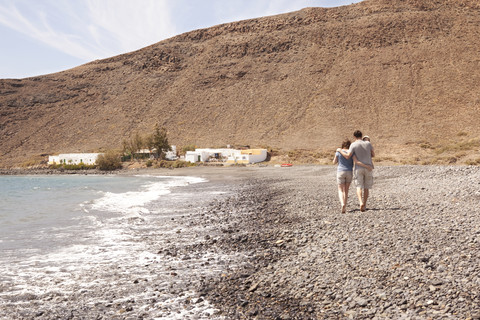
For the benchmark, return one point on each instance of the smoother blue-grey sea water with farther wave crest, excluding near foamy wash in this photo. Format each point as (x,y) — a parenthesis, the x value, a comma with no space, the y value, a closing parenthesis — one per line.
(40,214)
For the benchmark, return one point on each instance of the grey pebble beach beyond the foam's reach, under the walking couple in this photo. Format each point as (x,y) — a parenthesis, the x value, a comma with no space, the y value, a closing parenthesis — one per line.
(413,254)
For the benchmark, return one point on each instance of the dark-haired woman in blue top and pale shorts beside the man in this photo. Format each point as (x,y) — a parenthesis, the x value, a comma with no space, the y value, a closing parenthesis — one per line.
(344,174)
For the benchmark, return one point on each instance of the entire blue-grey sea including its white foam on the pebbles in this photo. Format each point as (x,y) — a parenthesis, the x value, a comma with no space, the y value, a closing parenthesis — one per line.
(58,231)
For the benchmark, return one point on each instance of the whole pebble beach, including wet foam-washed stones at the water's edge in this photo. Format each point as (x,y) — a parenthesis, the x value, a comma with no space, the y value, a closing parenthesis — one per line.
(278,247)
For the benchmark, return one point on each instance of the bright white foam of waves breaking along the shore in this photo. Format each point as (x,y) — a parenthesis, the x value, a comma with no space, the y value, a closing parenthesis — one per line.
(112,242)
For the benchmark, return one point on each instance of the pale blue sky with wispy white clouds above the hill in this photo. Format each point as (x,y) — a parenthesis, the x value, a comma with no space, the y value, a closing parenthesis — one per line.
(45,36)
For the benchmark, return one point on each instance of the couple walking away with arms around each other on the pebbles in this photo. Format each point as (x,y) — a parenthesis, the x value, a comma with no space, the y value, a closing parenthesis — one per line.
(358,153)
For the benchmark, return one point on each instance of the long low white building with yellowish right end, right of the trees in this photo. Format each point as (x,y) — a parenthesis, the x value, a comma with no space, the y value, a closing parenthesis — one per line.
(227,155)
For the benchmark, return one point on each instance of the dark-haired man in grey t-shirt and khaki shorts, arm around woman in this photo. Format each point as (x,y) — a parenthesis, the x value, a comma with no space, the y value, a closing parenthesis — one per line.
(362,151)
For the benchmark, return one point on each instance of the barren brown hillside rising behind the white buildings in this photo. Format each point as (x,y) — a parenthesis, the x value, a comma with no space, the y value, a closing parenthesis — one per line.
(406,72)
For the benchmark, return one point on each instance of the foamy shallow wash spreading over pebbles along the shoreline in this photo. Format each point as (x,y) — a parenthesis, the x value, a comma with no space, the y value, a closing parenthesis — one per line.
(142,272)
